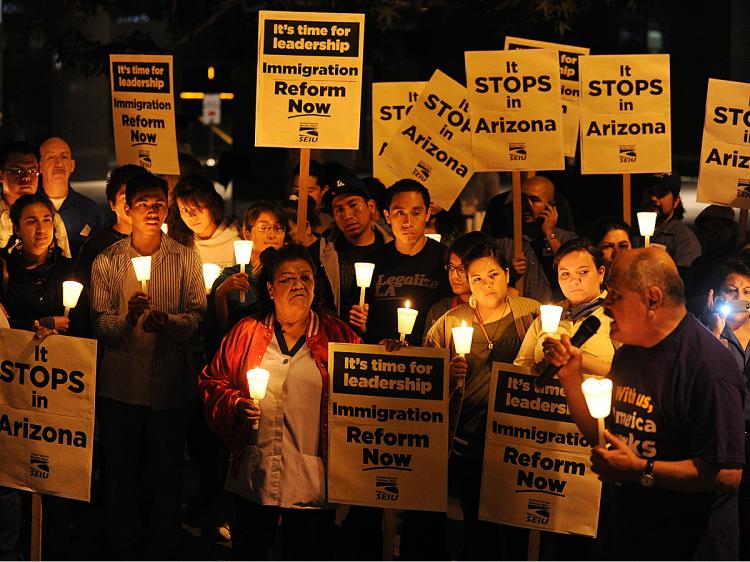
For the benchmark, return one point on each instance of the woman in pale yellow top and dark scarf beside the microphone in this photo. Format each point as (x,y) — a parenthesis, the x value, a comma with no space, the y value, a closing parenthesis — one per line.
(580,272)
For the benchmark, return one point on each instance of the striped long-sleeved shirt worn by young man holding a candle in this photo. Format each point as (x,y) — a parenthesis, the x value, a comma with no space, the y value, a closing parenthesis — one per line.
(176,287)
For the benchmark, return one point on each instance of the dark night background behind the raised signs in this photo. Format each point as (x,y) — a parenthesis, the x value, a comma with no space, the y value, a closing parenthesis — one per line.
(54,63)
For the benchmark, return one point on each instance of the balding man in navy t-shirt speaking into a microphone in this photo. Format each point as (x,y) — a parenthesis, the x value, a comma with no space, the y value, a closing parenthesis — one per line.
(675,439)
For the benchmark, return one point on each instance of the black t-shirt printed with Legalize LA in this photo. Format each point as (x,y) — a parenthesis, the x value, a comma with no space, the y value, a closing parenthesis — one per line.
(421,279)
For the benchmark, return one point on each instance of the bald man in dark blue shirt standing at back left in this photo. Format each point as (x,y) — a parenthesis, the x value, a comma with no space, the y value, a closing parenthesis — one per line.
(81,215)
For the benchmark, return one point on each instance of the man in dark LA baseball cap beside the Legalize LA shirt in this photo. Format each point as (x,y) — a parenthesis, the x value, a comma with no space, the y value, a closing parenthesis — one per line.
(353,237)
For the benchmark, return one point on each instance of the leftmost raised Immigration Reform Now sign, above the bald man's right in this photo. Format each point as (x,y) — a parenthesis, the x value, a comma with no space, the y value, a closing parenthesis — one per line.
(143,112)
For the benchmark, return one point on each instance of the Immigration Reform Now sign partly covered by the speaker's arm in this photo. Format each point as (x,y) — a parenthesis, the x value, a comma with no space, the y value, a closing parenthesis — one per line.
(536,470)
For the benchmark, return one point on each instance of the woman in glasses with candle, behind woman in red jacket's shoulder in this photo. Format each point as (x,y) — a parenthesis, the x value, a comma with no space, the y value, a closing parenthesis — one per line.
(266,224)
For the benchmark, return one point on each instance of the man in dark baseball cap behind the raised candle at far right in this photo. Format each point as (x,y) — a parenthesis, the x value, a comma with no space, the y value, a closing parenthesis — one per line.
(662,195)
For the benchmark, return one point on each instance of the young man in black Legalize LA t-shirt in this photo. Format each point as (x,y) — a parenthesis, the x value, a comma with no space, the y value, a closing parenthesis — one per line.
(409,268)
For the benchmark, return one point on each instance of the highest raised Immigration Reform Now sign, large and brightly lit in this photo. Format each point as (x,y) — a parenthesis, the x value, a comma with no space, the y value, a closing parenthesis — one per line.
(309,79)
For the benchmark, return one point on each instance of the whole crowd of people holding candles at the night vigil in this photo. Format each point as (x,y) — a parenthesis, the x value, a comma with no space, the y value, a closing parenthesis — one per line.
(172,360)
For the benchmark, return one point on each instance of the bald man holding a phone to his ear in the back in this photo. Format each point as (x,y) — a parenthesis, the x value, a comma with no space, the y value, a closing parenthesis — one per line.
(541,240)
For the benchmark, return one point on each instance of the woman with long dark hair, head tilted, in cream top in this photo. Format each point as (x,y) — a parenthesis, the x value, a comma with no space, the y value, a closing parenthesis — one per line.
(196,219)
